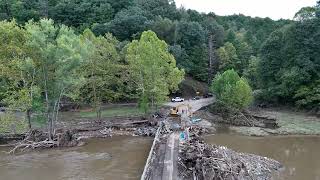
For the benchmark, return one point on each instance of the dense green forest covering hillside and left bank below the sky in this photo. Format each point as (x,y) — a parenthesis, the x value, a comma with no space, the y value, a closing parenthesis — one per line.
(280,59)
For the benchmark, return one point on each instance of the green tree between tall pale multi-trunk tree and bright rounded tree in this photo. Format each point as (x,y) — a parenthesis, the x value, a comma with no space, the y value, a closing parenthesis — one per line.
(102,71)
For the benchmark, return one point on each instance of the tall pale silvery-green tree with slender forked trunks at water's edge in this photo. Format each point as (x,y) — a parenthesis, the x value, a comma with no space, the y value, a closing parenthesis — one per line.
(59,53)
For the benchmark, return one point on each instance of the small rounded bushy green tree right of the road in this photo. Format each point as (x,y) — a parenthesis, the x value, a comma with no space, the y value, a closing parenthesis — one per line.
(232,91)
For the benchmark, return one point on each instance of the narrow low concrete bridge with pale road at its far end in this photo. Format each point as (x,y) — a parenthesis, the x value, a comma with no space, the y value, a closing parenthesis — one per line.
(163,156)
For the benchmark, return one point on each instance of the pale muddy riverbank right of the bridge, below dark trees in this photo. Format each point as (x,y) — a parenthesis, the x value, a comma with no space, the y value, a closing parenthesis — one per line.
(288,123)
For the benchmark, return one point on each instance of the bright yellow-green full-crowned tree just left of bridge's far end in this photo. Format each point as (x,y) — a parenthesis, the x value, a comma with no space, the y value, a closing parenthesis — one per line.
(153,69)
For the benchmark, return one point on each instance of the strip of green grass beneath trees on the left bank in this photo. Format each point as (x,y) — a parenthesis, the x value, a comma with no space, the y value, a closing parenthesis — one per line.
(114,112)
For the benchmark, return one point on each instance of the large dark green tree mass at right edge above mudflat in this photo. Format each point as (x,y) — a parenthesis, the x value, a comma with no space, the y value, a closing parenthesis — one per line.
(289,66)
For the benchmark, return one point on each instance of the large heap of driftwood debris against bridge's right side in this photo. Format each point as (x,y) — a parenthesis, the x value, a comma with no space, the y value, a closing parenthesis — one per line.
(201,161)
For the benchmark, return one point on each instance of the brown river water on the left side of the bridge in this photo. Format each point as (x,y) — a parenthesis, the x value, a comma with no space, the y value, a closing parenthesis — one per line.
(117,158)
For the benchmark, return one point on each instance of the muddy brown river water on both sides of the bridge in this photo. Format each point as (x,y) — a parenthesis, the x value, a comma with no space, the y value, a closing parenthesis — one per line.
(123,158)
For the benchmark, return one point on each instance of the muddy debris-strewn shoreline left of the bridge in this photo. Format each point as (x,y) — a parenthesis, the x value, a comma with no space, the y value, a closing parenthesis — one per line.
(79,131)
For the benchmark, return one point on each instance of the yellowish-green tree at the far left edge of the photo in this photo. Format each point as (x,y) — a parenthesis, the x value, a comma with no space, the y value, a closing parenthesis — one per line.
(17,70)
